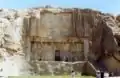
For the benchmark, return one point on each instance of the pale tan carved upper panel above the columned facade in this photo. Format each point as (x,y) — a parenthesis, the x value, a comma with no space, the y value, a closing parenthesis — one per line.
(50,28)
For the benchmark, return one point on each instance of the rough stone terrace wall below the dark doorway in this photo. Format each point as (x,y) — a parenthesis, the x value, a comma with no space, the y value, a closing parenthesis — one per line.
(57,68)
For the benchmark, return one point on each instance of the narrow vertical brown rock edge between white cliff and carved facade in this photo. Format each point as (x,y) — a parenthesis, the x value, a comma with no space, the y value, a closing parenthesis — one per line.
(26,37)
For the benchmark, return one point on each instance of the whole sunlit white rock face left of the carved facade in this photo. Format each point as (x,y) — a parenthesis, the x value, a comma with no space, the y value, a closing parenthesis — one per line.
(13,63)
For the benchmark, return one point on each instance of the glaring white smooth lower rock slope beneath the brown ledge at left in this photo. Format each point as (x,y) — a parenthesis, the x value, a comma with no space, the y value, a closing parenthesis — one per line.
(14,65)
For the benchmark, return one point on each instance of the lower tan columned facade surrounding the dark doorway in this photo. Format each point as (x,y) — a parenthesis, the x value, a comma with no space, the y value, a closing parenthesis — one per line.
(46,51)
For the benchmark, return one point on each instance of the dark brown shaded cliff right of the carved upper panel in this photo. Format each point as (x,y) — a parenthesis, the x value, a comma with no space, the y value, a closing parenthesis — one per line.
(99,28)
